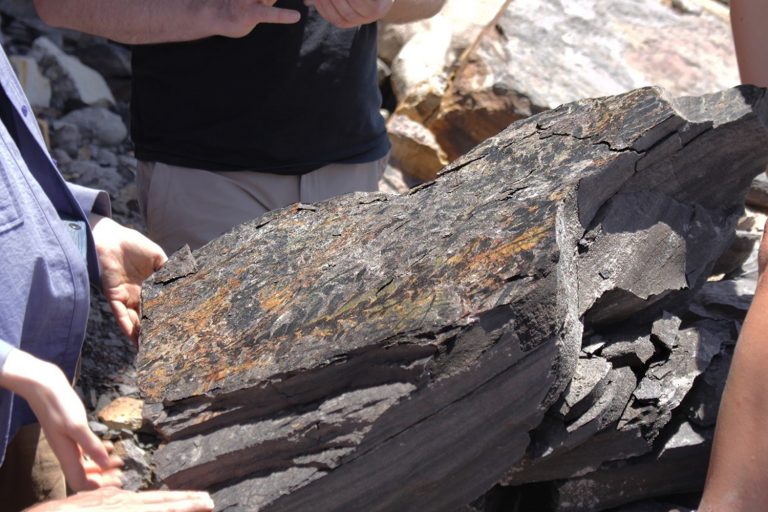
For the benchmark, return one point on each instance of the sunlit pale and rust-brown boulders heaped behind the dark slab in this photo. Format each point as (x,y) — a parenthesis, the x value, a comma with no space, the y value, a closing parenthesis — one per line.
(536,55)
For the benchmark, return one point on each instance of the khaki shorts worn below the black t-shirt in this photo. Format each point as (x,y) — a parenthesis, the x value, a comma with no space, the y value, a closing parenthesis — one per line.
(192,206)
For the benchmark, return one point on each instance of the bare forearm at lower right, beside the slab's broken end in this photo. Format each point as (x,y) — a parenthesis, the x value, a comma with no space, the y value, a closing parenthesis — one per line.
(739,461)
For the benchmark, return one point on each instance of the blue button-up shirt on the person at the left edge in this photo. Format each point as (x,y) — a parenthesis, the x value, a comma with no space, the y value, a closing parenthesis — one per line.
(44,279)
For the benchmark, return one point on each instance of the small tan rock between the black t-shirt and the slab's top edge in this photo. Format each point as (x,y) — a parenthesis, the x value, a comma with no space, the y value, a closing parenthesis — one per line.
(414,148)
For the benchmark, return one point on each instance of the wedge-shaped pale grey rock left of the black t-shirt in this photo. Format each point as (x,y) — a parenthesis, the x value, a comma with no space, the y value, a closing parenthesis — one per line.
(72,80)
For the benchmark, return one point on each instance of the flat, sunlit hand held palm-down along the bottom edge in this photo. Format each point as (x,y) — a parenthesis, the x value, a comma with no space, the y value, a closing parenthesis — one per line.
(118,500)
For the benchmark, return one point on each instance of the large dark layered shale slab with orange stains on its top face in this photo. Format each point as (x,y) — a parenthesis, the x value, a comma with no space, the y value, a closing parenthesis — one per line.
(378,352)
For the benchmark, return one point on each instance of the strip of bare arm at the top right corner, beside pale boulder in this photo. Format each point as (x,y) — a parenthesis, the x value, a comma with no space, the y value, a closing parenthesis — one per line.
(748,19)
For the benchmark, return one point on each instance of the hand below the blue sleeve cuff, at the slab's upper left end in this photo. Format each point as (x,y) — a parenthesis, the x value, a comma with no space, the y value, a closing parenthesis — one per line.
(126,258)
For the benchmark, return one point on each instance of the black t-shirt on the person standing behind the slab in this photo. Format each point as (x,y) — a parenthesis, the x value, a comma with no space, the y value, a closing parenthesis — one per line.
(285,99)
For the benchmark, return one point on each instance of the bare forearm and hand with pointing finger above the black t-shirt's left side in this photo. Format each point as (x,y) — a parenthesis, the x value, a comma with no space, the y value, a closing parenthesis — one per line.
(160,21)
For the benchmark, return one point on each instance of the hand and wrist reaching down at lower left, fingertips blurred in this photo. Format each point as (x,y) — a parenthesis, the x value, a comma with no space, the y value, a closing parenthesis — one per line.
(85,460)
